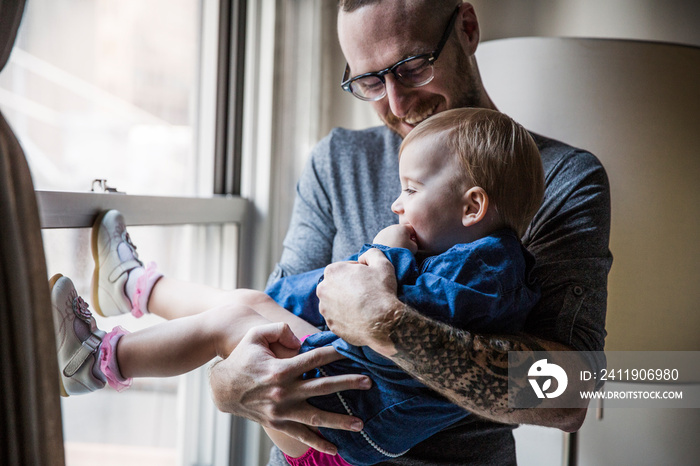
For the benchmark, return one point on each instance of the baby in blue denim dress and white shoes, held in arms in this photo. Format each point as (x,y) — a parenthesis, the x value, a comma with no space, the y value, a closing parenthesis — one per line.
(471,182)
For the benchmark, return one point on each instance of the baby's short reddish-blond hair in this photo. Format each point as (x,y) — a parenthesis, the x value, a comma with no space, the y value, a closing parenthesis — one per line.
(496,154)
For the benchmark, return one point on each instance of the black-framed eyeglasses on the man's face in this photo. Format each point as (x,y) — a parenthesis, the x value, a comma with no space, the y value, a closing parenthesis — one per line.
(415,71)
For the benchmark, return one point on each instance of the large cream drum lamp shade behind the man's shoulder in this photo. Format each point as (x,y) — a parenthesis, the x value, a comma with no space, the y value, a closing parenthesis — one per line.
(636,105)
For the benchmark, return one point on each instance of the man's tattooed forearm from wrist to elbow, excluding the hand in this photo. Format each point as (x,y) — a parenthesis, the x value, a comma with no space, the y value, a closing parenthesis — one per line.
(471,370)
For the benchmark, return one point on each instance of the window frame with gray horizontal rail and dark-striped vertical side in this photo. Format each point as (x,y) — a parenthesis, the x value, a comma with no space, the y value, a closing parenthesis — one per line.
(229,439)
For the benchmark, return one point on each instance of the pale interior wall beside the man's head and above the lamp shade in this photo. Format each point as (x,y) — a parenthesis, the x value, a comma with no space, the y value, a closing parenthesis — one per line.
(668,21)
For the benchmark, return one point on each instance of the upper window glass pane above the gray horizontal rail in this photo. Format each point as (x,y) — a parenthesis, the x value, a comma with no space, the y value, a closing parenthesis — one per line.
(107,89)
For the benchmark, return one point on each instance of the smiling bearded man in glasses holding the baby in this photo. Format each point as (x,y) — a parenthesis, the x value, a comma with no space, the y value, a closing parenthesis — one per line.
(343,199)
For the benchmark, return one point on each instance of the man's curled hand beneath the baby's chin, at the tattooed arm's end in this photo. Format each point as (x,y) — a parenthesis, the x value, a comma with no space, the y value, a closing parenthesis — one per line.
(358,301)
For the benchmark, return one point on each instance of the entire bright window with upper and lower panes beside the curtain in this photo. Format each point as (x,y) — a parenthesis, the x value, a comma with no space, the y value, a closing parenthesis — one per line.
(127,92)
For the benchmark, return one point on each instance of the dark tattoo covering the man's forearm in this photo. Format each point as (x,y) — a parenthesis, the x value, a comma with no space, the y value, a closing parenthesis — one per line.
(471,370)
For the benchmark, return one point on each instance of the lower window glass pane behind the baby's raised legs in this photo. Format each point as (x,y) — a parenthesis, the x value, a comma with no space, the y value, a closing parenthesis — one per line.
(144,425)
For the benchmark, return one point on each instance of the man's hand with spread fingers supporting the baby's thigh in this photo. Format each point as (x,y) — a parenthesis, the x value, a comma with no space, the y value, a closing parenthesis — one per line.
(253,383)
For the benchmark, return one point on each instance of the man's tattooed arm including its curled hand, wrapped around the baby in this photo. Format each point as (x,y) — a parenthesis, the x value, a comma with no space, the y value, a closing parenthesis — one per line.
(470,370)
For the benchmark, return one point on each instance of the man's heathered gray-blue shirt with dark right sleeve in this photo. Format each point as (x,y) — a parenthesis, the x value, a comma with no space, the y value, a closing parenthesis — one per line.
(344,198)
